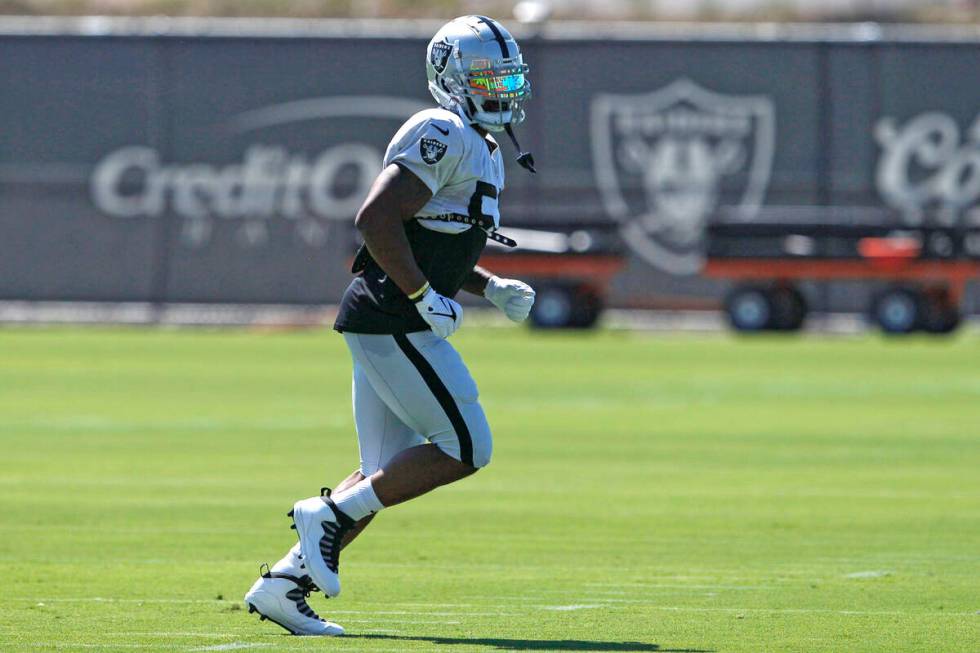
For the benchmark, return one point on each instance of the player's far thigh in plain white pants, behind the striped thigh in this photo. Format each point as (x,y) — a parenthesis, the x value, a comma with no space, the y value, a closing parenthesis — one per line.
(380,432)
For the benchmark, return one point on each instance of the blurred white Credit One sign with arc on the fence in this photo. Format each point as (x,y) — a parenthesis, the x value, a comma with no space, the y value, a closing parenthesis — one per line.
(269,182)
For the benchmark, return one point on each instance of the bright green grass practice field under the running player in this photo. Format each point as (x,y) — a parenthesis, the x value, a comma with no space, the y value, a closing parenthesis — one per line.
(648,493)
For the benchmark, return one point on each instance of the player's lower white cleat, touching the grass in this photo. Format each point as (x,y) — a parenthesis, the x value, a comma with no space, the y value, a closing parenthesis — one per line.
(281,599)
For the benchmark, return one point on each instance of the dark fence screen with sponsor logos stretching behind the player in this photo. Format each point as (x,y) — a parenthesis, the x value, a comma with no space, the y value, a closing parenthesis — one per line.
(183,167)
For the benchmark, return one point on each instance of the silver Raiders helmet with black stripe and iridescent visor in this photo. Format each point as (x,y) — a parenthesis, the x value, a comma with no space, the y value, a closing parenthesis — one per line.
(475,64)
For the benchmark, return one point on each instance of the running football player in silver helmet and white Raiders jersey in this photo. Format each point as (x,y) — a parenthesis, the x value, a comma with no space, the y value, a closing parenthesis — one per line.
(425,223)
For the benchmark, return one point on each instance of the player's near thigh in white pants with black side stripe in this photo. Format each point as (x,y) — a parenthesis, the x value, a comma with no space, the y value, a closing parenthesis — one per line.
(423,379)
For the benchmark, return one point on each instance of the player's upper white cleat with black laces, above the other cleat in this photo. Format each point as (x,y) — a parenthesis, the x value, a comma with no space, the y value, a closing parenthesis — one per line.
(321,527)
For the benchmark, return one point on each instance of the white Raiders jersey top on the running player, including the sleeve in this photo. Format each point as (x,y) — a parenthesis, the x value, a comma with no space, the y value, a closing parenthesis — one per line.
(464,171)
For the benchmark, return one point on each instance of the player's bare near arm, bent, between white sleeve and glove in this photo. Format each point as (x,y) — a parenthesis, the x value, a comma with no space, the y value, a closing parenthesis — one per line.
(396,197)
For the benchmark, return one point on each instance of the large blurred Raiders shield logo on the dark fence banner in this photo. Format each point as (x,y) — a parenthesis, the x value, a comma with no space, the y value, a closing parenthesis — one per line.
(665,161)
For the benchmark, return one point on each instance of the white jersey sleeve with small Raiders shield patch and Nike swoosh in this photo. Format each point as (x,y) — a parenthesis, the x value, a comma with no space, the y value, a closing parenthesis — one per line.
(432,151)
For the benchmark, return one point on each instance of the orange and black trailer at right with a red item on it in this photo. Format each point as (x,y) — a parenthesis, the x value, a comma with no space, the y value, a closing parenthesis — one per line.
(922,272)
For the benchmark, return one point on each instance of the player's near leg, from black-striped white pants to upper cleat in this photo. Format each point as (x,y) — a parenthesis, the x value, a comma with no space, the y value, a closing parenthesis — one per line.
(423,382)
